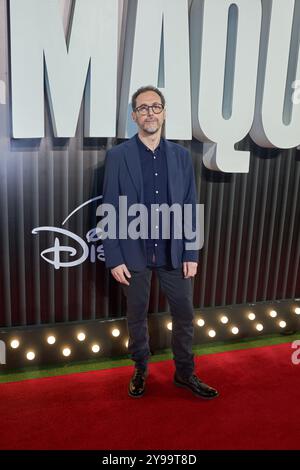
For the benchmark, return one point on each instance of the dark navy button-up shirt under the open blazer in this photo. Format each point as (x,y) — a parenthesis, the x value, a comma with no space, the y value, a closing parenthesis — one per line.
(155,179)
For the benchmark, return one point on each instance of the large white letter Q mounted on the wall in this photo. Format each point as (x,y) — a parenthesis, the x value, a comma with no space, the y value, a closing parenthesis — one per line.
(224,59)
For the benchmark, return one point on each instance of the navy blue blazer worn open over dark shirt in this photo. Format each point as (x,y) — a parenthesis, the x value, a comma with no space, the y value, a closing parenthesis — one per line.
(123,177)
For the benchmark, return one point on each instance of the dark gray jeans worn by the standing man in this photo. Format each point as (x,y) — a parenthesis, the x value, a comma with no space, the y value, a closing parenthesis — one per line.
(178,291)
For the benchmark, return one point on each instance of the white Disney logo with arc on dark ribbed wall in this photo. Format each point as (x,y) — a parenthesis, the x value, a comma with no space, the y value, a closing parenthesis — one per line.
(83,250)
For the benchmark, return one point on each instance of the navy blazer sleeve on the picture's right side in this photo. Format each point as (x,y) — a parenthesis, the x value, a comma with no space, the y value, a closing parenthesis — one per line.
(190,198)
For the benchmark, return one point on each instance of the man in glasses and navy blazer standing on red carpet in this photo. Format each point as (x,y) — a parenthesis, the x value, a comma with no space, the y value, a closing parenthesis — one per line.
(150,170)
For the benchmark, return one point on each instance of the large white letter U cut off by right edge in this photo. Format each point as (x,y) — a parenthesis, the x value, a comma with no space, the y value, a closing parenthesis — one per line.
(277,119)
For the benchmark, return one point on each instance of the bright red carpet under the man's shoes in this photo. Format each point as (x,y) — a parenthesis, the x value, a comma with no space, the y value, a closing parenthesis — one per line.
(258,407)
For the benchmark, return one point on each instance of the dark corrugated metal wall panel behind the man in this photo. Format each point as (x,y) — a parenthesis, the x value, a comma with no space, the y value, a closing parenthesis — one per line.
(252,225)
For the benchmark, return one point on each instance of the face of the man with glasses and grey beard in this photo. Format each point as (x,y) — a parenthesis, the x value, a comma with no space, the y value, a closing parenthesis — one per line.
(150,123)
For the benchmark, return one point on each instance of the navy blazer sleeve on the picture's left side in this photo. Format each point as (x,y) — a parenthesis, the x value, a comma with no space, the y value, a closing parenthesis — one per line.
(112,251)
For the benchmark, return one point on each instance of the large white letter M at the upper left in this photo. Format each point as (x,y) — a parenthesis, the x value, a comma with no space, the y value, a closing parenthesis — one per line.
(36,36)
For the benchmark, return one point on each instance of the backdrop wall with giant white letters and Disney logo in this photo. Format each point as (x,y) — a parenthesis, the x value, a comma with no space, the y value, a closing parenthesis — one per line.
(230,73)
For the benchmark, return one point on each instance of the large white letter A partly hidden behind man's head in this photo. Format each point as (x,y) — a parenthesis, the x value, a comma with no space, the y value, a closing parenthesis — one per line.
(157,53)
